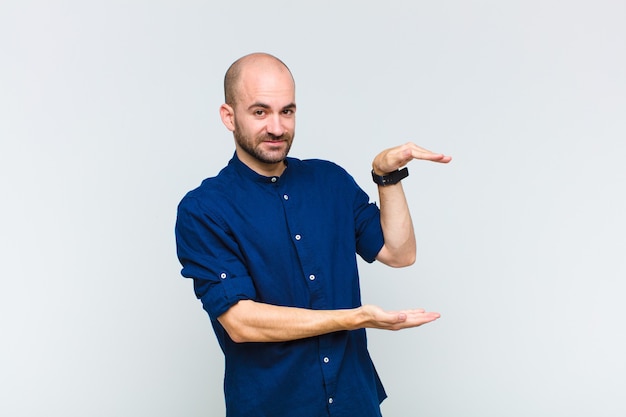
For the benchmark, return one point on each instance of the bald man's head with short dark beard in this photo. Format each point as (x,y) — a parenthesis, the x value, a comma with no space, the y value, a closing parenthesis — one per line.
(260,110)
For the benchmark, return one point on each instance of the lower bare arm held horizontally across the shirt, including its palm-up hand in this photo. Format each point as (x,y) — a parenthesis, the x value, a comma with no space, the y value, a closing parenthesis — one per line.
(250,321)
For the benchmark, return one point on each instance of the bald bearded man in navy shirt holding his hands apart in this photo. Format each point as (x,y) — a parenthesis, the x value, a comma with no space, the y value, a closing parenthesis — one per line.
(271,245)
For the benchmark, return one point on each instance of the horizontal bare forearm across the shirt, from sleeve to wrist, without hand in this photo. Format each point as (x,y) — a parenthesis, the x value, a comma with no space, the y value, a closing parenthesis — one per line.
(250,321)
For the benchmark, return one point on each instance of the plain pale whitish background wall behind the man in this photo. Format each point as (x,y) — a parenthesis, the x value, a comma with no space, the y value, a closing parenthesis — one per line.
(108,115)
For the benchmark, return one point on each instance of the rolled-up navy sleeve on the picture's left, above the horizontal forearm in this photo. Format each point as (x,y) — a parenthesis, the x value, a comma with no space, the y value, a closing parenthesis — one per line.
(211,256)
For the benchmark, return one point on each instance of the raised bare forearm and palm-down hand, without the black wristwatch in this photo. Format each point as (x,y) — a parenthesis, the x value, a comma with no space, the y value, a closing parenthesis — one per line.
(395,218)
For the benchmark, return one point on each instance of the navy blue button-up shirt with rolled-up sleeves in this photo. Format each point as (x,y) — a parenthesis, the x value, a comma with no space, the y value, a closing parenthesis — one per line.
(290,241)
